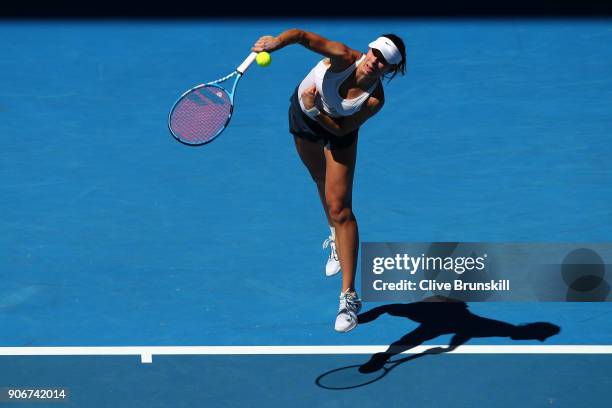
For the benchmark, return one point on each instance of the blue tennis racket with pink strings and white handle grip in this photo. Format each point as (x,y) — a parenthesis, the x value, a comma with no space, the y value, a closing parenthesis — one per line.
(204,111)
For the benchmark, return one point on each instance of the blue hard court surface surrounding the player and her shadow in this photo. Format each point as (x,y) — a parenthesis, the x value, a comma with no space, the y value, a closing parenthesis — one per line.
(115,235)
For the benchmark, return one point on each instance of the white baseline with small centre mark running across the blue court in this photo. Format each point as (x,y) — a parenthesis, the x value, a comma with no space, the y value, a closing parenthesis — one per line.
(146,352)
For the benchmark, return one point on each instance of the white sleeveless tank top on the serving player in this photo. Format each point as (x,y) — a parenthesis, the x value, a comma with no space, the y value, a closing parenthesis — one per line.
(328,86)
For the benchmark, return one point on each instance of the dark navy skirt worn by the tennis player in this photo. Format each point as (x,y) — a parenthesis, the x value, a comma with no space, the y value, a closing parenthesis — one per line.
(302,126)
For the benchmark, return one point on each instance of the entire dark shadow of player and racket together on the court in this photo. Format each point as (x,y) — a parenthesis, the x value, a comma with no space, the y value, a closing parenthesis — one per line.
(436,316)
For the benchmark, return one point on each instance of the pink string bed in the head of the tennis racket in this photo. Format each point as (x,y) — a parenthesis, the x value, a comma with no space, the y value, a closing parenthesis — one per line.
(201,114)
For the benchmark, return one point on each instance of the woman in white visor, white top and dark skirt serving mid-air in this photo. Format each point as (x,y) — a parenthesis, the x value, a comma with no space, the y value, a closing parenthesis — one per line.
(326,112)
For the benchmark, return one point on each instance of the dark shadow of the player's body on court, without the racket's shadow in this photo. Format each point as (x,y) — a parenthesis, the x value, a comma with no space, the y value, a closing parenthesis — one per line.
(439,316)
